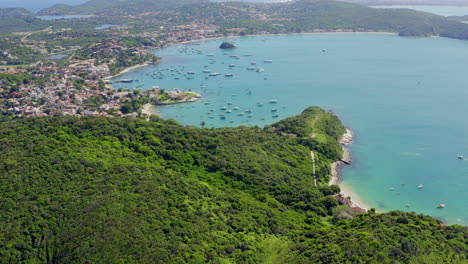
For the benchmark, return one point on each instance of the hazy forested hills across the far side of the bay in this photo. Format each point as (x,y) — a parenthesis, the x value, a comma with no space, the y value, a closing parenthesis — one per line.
(294,16)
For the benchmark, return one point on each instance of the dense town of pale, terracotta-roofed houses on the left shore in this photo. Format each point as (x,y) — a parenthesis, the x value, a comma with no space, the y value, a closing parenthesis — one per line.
(84,86)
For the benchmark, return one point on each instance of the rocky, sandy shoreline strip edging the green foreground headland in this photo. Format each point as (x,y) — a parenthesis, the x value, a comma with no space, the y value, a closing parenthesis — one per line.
(353,200)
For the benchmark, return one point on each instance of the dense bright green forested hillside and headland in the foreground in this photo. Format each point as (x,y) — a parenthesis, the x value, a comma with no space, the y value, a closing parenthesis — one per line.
(112,190)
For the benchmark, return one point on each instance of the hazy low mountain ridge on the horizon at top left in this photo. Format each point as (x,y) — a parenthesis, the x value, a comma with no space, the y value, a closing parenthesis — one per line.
(124,6)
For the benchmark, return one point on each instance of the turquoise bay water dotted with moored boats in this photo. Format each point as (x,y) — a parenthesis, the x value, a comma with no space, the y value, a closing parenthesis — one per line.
(404,97)
